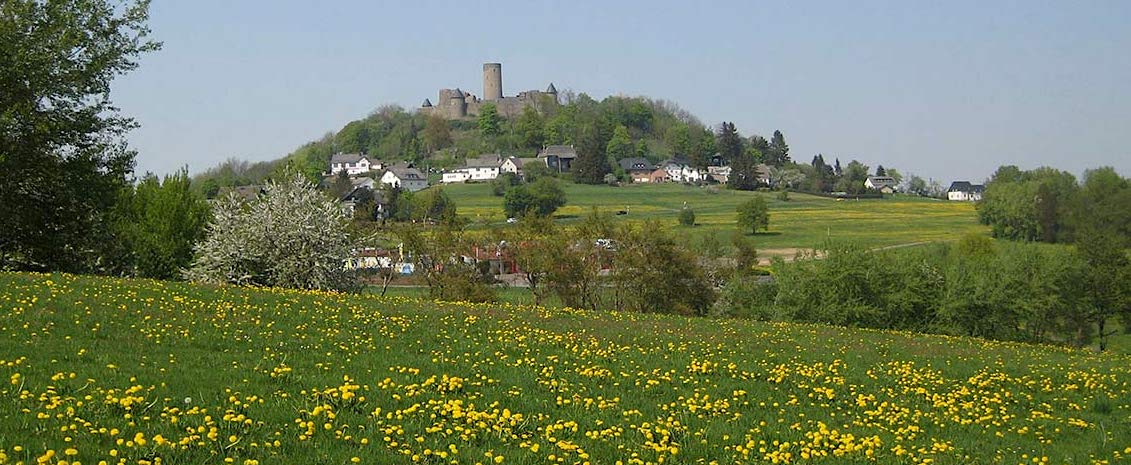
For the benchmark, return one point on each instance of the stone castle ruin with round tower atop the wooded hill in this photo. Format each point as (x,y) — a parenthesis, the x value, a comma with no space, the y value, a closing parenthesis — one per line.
(454,104)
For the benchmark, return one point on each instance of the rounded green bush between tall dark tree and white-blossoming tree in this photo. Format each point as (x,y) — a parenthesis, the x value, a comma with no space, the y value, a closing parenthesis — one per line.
(158,223)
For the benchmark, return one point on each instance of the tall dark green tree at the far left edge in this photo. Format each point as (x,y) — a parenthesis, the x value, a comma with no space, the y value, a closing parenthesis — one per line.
(63,149)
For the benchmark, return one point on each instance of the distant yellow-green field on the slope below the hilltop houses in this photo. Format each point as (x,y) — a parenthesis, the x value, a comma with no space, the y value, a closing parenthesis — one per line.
(805,222)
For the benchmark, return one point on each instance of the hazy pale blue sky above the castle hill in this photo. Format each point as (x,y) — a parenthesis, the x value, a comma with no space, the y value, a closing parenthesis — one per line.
(945,90)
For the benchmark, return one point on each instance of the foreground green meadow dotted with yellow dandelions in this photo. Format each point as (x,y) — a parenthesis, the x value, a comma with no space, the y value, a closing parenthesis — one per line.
(145,373)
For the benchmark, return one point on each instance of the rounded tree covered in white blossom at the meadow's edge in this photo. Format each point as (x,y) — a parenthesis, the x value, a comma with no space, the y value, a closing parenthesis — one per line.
(291,236)
